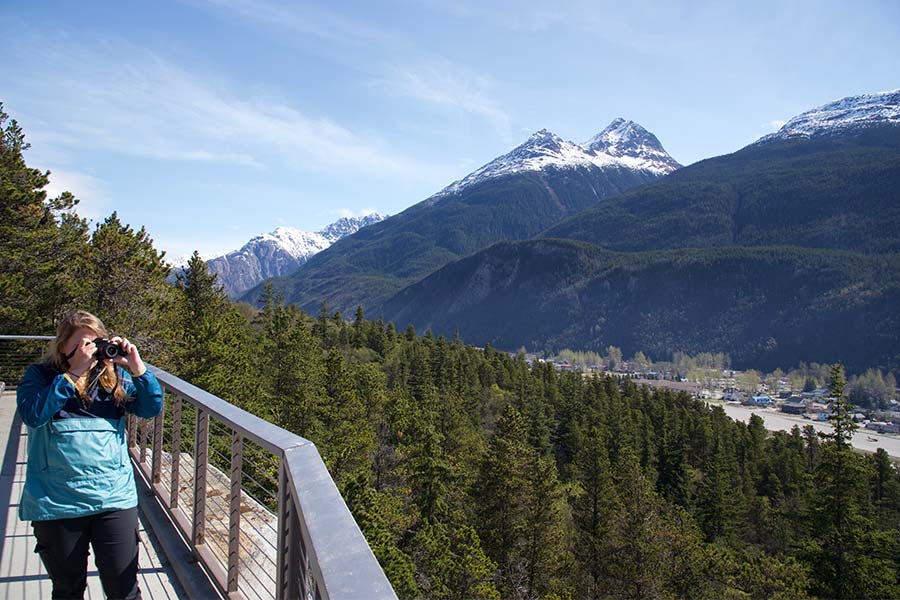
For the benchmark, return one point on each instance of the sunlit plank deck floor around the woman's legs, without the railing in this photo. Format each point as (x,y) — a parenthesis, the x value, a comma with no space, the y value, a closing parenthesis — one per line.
(21,573)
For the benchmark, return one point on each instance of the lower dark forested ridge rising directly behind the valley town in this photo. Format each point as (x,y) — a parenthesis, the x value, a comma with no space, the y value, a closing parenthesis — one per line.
(766,306)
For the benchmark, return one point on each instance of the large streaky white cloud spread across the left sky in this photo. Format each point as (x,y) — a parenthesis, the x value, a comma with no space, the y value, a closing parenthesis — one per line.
(131,101)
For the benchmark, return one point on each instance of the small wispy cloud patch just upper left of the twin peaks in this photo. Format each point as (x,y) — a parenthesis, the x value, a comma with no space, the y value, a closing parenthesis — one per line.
(449,87)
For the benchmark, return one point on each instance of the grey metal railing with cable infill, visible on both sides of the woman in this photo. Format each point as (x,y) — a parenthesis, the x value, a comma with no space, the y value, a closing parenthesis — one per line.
(254,502)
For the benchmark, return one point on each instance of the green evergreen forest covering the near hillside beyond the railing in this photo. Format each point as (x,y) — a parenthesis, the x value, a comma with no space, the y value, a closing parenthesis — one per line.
(471,473)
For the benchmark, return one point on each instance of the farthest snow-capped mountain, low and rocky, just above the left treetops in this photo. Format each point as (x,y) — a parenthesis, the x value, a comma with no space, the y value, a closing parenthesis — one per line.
(280,253)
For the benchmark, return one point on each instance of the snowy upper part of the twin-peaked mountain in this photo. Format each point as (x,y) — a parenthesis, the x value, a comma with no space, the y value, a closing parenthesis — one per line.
(622,145)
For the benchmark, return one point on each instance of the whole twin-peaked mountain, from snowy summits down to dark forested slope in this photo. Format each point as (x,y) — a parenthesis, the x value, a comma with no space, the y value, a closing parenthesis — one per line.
(513,197)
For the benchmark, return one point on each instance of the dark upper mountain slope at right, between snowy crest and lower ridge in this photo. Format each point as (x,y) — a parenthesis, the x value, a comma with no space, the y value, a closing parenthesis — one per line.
(838,187)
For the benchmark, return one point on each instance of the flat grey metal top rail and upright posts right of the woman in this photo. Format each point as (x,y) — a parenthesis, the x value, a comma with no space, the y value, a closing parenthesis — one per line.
(321,552)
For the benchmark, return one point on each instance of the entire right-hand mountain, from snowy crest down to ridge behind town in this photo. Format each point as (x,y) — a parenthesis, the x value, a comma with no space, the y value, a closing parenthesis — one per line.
(786,250)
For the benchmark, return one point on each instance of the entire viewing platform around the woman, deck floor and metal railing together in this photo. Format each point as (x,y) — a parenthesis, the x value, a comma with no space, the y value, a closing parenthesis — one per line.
(231,506)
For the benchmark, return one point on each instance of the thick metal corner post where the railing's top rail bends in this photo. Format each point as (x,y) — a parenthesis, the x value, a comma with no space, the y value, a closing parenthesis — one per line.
(291,581)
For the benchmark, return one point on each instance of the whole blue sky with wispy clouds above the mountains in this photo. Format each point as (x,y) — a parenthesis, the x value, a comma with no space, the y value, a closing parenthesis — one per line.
(210,121)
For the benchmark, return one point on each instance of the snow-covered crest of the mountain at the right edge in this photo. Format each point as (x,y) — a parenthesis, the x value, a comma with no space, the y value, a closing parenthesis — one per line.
(853,112)
